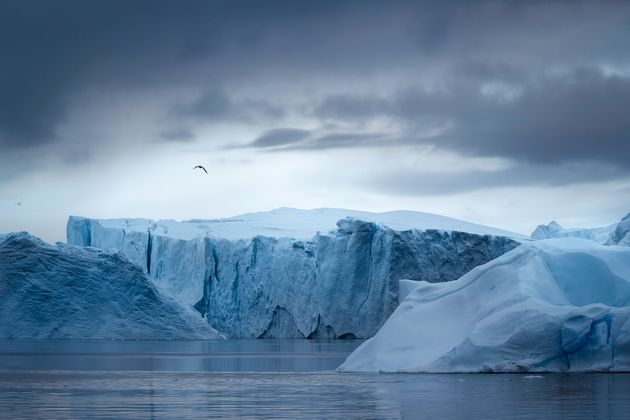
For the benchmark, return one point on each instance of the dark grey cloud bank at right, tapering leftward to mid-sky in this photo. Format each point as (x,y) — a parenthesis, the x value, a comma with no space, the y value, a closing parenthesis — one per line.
(580,116)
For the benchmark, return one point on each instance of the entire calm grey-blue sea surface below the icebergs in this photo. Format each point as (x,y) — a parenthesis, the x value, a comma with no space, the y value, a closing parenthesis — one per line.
(286,379)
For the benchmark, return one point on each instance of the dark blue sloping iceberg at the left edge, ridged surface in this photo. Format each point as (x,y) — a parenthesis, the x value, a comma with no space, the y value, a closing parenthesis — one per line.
(61,292)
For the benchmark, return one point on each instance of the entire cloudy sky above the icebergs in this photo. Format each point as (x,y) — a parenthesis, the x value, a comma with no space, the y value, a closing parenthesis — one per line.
(504,113)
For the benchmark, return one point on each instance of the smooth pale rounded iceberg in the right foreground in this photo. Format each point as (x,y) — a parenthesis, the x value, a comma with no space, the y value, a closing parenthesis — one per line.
(553,305)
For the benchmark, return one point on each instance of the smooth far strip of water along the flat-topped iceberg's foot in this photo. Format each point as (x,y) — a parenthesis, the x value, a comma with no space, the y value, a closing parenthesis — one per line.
(177,356)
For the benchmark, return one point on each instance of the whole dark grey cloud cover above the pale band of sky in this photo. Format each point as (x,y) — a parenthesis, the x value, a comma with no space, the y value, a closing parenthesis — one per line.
(540,106)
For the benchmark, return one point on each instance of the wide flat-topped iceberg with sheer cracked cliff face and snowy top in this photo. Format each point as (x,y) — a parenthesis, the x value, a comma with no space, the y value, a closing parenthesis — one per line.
(295,273)
